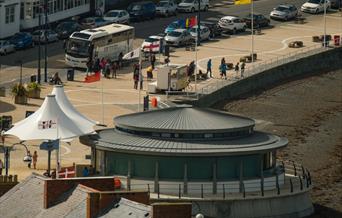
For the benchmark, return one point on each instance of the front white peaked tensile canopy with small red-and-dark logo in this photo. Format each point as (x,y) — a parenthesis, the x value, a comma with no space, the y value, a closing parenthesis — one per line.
(49,122)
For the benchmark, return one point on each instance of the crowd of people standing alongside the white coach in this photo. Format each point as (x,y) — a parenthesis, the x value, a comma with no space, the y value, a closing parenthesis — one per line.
(107,66)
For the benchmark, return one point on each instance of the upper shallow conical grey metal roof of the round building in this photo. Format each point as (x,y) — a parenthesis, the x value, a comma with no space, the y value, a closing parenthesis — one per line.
(183,119)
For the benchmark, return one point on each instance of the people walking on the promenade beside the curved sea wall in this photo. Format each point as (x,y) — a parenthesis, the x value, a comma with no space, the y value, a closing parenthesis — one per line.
(223,68)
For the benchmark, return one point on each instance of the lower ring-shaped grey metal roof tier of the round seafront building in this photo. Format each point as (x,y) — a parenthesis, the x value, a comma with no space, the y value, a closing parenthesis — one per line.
(114,140)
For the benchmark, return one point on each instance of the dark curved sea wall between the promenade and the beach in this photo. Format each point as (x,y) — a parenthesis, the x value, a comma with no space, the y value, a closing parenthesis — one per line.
(326,61)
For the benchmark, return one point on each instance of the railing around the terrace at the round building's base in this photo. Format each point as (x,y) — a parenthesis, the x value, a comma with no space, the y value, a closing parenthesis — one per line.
(293,178)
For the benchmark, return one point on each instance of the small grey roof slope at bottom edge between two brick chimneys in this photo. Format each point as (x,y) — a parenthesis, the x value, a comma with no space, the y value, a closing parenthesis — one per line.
(127,209)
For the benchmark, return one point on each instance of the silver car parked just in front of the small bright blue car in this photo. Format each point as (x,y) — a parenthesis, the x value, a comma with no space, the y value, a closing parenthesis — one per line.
(178,37)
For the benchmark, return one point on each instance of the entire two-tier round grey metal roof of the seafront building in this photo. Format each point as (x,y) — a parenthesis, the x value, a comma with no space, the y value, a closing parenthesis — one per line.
(184,131)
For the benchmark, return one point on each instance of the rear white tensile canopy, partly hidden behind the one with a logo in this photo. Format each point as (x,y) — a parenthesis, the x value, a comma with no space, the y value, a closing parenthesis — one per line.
(64,103)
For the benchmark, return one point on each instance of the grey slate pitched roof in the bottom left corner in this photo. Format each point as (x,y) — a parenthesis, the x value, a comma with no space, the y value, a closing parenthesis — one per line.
(29,196)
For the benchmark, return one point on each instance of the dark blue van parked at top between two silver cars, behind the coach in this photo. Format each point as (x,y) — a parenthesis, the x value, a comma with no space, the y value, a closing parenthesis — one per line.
(142,10)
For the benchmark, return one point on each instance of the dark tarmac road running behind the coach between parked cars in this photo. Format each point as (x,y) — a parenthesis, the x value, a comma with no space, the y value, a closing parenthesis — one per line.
(29,57)
